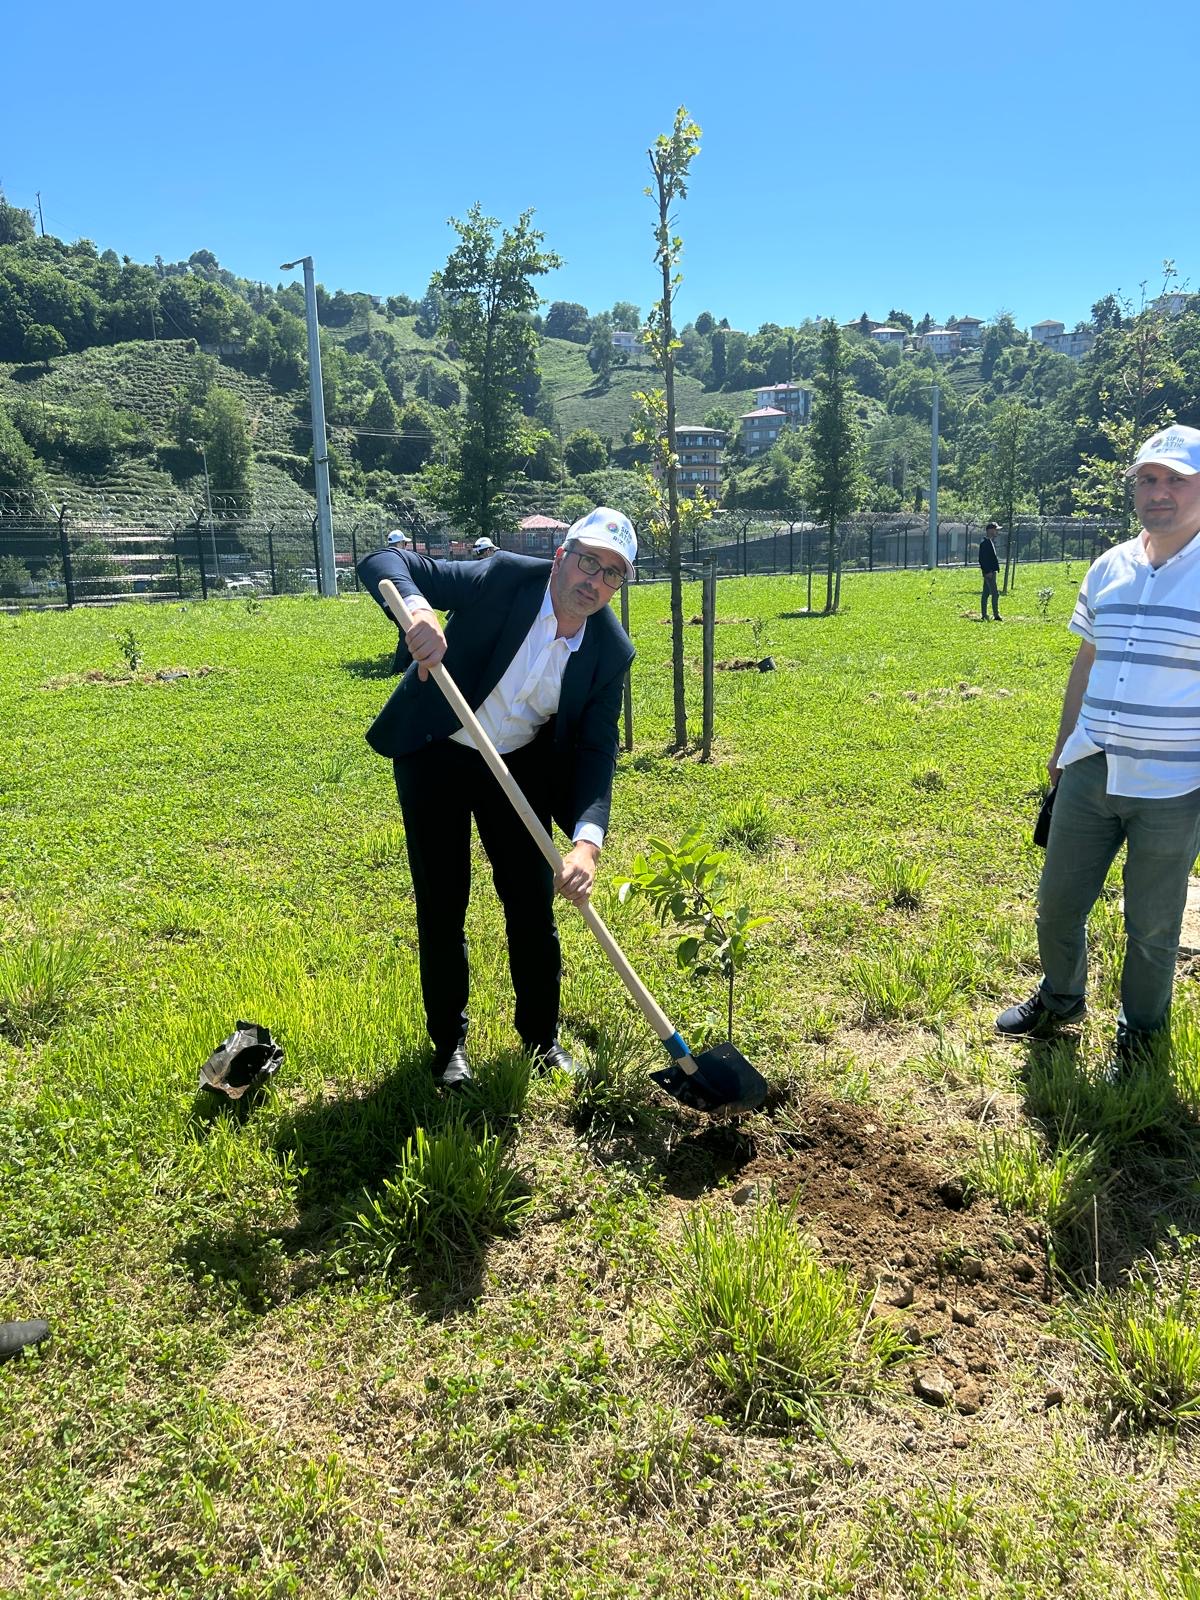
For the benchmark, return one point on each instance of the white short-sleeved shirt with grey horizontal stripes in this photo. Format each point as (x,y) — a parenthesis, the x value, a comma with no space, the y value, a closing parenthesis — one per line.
(1142,705)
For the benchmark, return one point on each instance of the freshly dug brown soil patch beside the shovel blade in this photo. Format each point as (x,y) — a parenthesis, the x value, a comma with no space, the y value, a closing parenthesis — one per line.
(966,1284)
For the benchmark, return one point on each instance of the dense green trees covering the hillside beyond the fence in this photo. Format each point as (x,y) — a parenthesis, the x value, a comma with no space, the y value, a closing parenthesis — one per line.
(415,407)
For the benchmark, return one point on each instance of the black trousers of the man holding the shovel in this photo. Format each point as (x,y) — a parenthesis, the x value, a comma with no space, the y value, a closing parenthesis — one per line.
(441,790)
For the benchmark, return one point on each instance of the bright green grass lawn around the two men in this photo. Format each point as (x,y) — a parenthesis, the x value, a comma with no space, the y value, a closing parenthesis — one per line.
(924,1327)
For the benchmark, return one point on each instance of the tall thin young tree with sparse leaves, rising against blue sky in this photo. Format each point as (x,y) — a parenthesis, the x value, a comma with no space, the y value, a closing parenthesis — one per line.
(670,164)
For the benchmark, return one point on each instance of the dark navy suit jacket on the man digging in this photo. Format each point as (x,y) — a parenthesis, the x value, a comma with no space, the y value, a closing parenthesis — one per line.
(494,606)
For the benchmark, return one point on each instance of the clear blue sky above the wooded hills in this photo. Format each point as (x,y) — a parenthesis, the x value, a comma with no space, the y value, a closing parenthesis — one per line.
(945,159)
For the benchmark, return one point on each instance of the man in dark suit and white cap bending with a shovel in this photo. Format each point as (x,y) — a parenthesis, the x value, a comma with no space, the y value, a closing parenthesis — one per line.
(542,658)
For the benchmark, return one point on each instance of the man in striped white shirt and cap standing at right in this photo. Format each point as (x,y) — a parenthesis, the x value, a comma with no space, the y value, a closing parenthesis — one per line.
(1127,758)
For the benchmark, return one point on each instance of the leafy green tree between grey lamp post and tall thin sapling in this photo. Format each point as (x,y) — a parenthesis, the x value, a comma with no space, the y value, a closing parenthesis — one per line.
(489,303)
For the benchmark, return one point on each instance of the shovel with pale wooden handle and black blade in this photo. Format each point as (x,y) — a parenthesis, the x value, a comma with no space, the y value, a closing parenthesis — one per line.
(719,1079)
